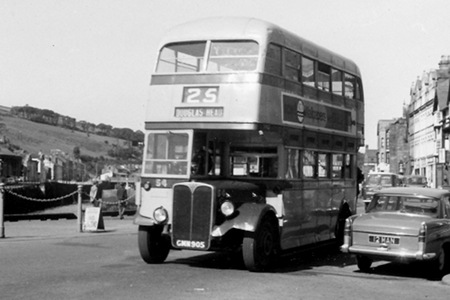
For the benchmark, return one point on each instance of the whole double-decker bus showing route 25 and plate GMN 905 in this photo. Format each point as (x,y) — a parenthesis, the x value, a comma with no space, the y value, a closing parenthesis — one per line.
(251,138)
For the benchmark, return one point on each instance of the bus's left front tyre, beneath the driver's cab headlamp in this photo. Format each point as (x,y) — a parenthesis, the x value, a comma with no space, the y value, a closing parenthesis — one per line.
(153,247)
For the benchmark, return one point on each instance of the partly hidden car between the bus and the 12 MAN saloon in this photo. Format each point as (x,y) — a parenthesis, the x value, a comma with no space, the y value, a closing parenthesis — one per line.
(375,181)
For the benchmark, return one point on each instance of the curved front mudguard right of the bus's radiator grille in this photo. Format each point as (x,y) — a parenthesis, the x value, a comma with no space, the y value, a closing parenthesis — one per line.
(247,218)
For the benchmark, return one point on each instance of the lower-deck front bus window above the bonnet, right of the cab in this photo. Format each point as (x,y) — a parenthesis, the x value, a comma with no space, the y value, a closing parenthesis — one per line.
(254,162)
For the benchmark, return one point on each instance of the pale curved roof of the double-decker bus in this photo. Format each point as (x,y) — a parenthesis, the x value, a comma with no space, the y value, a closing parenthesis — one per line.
(219,28)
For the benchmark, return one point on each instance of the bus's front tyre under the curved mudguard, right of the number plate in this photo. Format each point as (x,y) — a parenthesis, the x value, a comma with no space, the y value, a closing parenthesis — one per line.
(259,250)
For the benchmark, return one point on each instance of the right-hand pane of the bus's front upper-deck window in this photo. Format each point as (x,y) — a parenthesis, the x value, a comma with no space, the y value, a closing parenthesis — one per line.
(229,56)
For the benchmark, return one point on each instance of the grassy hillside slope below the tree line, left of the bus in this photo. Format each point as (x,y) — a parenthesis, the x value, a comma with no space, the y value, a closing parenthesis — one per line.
(34,137)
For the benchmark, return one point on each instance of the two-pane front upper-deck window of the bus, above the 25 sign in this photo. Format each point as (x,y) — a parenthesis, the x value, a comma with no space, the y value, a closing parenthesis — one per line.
(223,56)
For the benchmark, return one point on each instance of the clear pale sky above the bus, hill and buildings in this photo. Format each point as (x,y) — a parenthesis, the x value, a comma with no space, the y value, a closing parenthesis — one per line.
(92,59)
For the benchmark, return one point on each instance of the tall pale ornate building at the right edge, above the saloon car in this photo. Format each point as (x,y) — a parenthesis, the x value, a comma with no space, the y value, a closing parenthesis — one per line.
(428,118)
